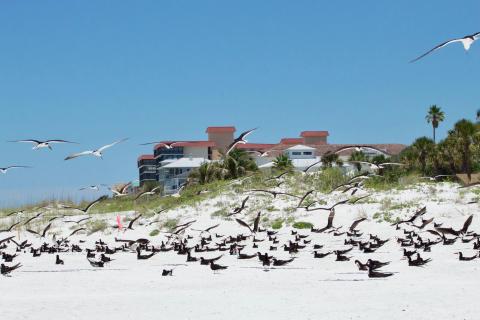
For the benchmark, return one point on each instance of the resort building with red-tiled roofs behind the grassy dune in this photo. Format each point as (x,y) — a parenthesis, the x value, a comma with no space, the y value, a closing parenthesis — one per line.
(170,166)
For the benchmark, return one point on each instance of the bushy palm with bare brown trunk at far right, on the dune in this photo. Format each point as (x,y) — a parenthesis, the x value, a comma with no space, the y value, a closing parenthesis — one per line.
(465,131)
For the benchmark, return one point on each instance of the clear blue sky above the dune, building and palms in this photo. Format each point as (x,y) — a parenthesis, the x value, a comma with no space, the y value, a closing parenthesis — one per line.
(98,71)
